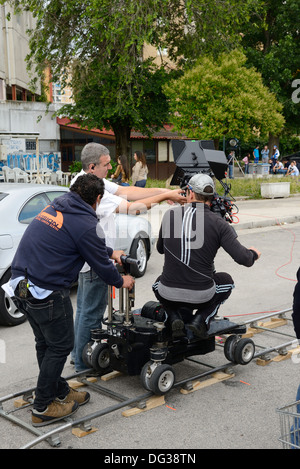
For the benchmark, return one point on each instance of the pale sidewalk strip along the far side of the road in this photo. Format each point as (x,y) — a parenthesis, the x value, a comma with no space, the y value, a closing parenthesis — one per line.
(251,213)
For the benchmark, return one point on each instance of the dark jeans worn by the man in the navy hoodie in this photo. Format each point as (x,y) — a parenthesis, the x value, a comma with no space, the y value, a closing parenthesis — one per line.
(52,324)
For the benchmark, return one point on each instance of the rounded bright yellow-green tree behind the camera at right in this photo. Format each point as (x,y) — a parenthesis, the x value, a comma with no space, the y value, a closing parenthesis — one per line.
(222,97)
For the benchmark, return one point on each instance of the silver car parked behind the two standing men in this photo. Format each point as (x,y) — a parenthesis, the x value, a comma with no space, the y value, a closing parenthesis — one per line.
(20,203)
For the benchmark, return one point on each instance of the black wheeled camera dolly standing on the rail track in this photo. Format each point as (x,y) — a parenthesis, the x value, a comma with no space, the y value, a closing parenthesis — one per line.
(140,342)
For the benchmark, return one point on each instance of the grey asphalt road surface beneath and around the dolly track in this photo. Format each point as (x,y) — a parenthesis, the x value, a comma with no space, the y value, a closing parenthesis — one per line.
(236,413)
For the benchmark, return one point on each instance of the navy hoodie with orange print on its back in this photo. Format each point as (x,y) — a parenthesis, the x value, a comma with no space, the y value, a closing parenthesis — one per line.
(58,242)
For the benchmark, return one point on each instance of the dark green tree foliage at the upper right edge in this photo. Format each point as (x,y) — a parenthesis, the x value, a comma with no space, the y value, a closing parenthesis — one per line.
(271,42)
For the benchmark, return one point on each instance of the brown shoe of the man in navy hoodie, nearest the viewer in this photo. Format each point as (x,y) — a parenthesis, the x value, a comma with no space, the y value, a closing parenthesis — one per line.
(55,411)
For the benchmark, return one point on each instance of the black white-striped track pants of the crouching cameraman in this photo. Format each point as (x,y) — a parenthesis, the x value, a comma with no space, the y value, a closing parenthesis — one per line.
(224,286)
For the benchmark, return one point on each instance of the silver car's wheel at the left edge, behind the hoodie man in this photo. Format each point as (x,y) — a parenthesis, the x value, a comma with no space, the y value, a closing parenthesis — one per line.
(10,315)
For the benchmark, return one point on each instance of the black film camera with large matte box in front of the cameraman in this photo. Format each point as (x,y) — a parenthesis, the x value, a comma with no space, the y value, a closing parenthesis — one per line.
(199,156)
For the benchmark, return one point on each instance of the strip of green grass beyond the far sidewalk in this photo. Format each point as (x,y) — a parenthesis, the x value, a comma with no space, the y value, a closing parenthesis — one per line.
(241,187)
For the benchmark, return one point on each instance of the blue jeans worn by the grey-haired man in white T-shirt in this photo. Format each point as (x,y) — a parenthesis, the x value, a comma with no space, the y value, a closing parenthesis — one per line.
(91,306)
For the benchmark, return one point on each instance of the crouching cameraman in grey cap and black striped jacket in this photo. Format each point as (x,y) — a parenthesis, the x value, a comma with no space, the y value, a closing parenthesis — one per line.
(189,238)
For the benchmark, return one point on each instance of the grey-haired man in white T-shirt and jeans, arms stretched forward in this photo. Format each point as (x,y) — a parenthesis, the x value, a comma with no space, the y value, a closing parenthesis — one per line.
(92,291)
